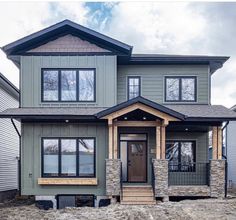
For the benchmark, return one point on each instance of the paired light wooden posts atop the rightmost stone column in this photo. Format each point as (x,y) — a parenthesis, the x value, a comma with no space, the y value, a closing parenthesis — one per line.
(216,143)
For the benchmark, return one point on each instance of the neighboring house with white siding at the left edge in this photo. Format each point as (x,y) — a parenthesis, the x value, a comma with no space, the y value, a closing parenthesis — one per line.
(9,141)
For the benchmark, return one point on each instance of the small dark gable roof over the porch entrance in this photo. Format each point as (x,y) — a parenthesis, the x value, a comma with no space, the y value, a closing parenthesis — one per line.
(144,101)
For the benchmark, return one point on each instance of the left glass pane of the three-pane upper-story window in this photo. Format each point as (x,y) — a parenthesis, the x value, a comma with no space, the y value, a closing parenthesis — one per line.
(50,85)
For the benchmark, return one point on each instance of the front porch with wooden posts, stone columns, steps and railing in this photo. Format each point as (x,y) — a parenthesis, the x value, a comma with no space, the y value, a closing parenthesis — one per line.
(143,142)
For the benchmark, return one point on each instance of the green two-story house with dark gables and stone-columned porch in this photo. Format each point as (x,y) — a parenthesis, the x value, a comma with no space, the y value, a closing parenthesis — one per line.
(101,122)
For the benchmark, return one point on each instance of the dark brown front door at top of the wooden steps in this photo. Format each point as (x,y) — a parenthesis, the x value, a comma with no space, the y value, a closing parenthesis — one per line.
(137,161)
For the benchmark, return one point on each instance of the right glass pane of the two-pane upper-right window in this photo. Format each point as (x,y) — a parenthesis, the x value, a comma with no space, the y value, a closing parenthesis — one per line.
(188,89)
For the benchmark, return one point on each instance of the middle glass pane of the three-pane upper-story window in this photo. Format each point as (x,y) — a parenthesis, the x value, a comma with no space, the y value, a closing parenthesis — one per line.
(68,85)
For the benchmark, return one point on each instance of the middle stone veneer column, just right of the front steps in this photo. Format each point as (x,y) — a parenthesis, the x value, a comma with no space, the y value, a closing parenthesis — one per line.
(160,167)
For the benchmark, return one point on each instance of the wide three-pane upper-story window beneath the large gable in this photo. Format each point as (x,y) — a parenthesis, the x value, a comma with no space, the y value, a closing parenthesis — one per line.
(68,85)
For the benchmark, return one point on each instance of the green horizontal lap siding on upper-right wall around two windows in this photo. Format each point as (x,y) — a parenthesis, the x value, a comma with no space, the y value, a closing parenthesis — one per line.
(153,79)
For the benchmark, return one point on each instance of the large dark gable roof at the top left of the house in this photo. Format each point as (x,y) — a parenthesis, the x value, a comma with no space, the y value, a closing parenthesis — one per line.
(60,29)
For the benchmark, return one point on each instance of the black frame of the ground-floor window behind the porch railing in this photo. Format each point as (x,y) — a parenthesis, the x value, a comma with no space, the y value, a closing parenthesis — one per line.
(179,154)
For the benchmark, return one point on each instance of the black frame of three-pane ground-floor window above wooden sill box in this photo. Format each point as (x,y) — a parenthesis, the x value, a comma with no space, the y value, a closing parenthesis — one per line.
(60,154)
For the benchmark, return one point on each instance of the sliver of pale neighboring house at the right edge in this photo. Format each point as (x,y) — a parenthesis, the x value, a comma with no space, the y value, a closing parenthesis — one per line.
(231,152)
